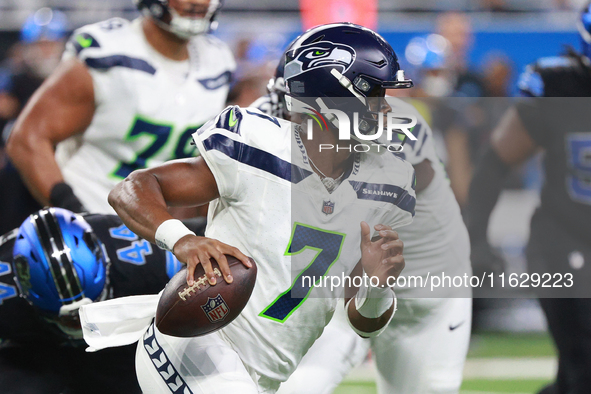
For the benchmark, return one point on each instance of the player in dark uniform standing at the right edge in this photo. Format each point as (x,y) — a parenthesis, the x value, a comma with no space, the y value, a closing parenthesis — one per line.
(560,237)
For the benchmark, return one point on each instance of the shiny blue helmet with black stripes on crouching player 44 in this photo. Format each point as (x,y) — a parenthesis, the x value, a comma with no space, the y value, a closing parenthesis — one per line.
(60,265)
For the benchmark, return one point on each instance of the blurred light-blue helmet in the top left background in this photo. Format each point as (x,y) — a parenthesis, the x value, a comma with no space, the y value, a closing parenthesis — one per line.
(45,23)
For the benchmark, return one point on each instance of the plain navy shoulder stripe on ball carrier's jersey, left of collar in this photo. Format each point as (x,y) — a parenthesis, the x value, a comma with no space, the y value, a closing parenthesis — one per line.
(256,158)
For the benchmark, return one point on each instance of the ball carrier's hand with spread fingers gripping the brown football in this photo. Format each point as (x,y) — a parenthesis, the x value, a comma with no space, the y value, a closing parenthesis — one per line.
(193,250)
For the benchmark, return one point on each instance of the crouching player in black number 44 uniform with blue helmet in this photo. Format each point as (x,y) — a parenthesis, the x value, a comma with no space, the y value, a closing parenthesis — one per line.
(41,350)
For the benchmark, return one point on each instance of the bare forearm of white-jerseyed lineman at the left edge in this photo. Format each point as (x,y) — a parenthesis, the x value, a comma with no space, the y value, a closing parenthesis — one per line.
(35,160)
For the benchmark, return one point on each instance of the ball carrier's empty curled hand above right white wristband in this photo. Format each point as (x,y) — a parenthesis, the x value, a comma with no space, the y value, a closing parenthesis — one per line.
(381,258)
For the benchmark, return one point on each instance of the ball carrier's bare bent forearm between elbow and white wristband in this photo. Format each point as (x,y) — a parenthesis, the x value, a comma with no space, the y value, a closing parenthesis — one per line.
(139,202)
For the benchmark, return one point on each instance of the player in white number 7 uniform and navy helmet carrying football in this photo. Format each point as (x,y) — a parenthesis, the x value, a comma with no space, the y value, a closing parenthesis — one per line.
(276,204)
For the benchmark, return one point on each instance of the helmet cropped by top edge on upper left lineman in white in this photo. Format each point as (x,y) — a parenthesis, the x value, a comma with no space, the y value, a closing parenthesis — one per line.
(184,27)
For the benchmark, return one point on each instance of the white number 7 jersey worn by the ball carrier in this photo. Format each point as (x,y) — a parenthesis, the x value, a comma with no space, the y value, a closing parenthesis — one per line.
(274,208)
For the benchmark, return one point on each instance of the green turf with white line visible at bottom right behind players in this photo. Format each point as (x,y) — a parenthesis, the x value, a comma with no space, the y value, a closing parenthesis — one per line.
(495,349)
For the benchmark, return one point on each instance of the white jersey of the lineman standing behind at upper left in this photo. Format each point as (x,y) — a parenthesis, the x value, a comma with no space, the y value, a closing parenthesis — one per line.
(147,106)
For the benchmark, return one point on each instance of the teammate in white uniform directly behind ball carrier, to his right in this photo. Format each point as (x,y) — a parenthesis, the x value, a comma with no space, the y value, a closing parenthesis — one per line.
(424,349)
